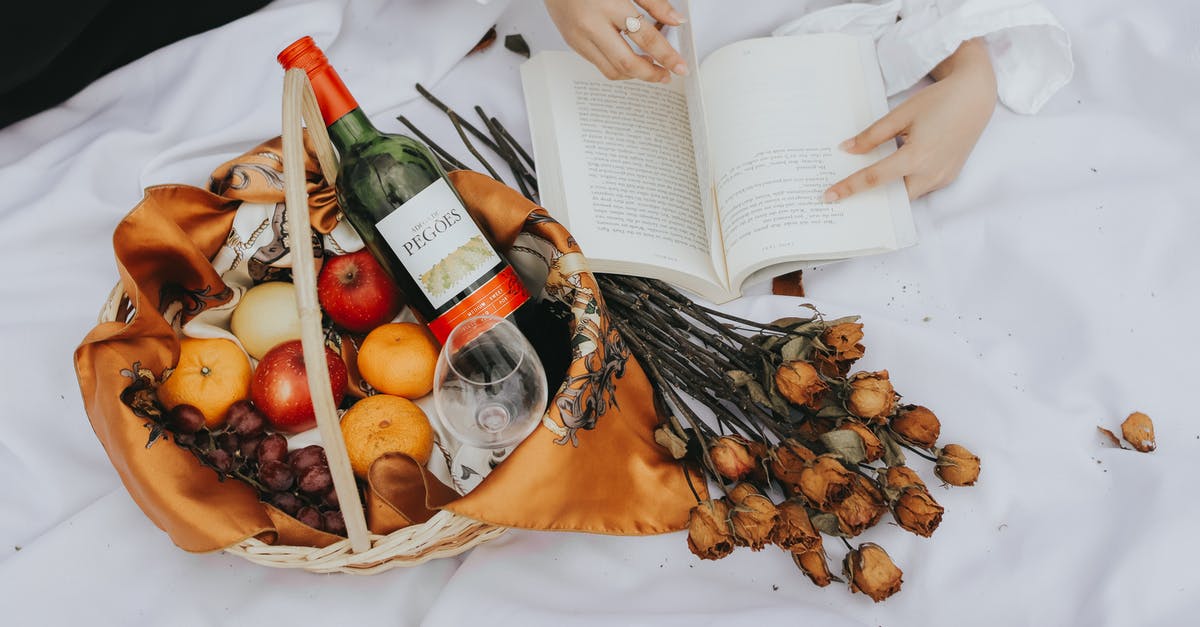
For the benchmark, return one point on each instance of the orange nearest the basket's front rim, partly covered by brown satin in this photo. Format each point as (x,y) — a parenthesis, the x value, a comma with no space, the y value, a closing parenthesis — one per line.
(383,425)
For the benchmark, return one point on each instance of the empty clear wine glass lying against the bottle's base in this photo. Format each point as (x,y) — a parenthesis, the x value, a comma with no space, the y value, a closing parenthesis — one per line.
(490,392)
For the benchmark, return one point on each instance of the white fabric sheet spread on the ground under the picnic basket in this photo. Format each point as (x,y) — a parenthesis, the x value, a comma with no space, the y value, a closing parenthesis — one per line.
(1054,289)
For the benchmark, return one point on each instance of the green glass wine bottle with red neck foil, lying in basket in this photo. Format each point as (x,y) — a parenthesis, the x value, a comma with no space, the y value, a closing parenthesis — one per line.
(395,194)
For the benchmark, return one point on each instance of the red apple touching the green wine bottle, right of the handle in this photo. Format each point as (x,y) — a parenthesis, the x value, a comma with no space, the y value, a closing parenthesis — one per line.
(357,292)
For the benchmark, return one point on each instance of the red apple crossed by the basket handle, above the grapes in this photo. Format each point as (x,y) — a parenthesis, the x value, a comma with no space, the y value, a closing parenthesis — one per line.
(280,389)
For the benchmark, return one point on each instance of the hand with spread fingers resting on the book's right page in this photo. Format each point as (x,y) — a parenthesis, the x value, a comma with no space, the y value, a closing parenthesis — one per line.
(939,127)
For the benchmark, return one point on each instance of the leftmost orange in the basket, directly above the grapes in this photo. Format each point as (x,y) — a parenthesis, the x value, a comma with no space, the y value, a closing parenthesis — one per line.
(212,375)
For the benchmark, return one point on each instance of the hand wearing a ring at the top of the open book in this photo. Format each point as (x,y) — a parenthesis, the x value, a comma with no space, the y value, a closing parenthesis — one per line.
(595,29)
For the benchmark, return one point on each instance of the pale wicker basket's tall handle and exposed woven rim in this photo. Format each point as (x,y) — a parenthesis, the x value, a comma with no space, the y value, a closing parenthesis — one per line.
(446,534)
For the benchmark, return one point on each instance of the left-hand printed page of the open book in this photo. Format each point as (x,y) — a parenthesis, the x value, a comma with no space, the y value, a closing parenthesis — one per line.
(627,174)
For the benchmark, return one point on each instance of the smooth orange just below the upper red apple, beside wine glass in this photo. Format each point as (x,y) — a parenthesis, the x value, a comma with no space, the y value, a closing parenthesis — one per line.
(399,359)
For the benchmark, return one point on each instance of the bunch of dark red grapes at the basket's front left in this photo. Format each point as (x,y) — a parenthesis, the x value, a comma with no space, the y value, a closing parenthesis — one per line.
(297,482)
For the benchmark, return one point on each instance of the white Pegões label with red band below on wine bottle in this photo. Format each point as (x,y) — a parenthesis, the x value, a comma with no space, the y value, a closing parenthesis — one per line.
(445,252)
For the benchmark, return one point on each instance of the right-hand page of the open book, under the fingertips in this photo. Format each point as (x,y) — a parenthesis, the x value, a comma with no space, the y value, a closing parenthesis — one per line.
(778,109)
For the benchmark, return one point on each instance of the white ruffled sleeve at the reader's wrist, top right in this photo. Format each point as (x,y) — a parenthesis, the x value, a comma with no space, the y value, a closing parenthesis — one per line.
(1030,50)
